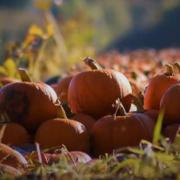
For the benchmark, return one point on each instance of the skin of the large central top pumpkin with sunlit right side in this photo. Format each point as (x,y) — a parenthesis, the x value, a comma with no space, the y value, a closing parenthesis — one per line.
(94,92)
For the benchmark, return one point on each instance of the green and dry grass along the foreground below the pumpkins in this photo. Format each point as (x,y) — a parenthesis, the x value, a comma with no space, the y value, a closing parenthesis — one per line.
(160,160)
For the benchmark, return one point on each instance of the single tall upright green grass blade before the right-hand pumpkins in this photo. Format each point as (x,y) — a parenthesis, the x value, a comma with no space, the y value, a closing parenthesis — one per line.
(158,126)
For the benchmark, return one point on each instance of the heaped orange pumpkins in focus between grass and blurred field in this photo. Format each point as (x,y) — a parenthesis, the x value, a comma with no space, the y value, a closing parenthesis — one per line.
(95,111)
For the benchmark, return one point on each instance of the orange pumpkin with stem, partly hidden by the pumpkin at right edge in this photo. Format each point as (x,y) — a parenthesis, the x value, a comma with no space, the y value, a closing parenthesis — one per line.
(157,87)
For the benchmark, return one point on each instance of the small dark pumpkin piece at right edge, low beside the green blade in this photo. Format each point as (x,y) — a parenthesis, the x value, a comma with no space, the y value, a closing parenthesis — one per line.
(171,131)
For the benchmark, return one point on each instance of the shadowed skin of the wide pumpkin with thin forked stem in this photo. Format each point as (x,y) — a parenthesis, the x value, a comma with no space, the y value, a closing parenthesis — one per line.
(109,133)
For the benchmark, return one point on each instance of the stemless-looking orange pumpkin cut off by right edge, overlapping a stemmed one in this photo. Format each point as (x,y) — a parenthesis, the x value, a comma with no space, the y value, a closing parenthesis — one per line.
(170,102)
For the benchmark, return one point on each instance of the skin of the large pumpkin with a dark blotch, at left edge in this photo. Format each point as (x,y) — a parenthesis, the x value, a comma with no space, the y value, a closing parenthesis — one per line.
(28,103)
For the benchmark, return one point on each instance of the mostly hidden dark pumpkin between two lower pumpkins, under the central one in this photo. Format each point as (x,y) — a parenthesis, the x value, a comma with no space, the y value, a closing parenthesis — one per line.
(85,119)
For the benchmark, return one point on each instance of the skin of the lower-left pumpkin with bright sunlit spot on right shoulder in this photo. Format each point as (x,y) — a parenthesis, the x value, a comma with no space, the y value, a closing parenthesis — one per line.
(58,132)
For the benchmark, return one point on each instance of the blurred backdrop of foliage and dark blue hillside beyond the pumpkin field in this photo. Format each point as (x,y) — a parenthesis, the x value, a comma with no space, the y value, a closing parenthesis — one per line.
(89,27)
